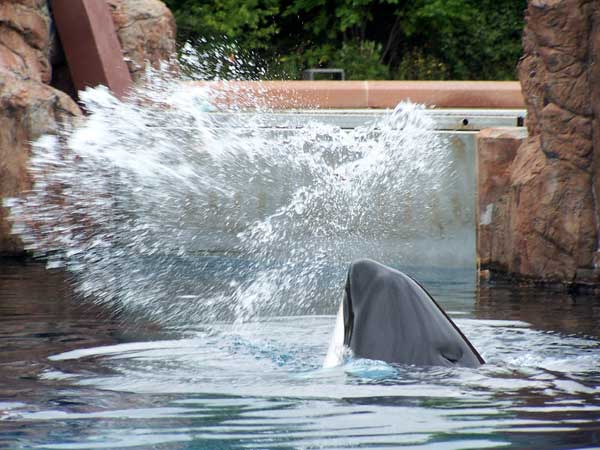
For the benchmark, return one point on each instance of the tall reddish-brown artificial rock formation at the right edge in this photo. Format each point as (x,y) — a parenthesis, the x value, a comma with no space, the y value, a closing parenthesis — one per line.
(547,218)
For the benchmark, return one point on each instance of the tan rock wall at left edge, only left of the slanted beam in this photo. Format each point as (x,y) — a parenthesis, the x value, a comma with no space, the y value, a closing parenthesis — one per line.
(28,106)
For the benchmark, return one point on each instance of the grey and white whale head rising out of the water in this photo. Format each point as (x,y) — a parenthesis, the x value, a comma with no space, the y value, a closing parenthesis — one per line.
(386,315)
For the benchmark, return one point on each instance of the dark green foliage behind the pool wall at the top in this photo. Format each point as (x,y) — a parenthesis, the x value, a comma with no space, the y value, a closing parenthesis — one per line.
(369,39)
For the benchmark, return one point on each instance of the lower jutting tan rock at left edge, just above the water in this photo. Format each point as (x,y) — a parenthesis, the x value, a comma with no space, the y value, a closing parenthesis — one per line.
(28,109)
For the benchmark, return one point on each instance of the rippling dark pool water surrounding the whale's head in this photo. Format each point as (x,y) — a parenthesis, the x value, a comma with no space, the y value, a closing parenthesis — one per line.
(78,376)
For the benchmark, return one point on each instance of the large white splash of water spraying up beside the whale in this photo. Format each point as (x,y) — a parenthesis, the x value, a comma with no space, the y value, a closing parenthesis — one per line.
(137,199)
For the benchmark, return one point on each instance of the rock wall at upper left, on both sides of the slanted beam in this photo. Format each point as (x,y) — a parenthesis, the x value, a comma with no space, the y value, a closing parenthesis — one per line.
(30,107)
